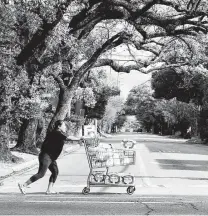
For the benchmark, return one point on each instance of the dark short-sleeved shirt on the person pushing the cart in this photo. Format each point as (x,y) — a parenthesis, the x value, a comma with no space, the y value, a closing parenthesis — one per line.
(53,144)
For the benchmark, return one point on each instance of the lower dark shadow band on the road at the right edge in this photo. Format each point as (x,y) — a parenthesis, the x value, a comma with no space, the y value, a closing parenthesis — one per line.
(195,165)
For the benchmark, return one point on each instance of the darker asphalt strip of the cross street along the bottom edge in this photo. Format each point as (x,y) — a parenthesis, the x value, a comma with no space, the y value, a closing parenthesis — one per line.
(100,204)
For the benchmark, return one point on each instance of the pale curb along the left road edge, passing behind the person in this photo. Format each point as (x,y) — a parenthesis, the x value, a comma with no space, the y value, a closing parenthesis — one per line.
(31,164)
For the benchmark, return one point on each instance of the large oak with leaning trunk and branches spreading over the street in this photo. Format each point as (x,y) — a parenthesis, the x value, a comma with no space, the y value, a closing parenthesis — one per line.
(155,24)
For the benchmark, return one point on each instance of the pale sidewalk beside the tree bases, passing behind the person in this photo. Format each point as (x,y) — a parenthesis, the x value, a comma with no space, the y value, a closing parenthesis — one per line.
(28,161)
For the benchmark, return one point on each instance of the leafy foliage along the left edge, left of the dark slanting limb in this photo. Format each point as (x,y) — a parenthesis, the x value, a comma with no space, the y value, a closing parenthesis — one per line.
(19,99)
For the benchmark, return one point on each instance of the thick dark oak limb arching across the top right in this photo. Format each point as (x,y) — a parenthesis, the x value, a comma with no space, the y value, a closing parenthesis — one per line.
(133,13)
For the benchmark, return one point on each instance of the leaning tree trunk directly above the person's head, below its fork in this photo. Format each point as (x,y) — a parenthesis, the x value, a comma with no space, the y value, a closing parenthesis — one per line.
(63,107)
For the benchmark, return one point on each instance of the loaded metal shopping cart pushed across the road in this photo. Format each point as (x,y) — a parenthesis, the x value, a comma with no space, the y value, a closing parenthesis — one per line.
(104,158)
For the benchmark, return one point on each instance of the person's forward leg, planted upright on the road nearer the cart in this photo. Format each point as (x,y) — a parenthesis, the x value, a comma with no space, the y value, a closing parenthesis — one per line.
(54,173)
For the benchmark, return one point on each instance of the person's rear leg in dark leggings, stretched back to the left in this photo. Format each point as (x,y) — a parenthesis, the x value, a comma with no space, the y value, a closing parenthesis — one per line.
(44,163)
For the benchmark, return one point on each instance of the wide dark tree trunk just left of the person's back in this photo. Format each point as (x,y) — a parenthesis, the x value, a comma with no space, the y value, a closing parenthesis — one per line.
(27,137)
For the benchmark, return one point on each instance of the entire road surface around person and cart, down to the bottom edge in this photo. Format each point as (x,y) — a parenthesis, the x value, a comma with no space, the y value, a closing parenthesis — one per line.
(171,179)
